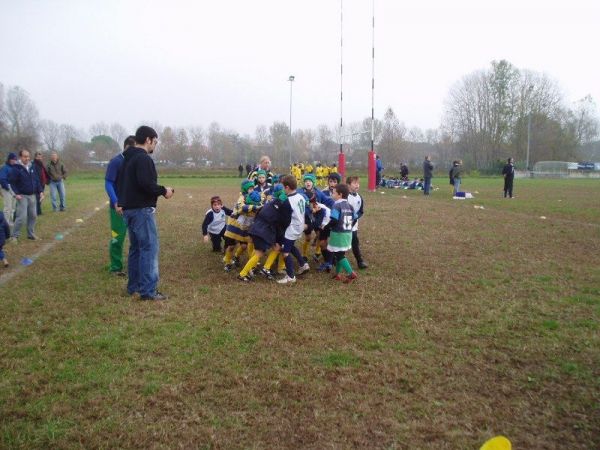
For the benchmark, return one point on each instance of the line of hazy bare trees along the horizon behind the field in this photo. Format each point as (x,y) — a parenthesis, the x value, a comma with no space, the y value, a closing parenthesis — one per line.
(489,115)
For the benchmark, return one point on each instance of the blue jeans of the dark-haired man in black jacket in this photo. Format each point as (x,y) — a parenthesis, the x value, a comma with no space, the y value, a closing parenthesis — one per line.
(143,251)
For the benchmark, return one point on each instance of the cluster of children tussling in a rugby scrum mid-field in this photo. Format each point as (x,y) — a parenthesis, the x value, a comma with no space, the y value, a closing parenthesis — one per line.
(272,214)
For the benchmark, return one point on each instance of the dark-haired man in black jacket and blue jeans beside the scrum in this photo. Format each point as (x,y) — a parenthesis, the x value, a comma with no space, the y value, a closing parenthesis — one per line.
(138,192)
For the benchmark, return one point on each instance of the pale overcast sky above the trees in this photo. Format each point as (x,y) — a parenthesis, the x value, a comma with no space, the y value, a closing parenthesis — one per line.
(186,63)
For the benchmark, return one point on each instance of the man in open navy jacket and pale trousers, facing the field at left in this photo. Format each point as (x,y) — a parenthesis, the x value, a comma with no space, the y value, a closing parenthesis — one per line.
(25,184)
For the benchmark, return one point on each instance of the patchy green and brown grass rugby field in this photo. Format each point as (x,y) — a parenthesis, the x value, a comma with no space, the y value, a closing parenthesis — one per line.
(468,323)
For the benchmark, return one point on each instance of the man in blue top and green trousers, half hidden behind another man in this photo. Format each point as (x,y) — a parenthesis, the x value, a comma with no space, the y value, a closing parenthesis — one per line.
(118,227)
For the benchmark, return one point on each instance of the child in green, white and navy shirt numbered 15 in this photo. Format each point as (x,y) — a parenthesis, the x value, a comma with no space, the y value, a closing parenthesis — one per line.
(341,220)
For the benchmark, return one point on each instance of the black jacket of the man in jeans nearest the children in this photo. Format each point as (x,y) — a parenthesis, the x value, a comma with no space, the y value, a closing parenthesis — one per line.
(137,185)
